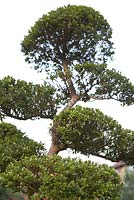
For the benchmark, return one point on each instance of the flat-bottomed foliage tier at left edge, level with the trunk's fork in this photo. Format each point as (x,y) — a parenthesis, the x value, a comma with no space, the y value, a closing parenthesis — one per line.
(22,100)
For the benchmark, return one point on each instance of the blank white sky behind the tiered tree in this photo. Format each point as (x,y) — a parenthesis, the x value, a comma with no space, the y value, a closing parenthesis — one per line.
(16,17)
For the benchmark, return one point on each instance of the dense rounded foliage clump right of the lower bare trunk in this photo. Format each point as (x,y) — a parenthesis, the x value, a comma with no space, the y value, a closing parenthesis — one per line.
(89,131)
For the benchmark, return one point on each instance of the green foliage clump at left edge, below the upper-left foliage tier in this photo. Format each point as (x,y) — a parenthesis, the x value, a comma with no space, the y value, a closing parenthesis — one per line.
(15,145)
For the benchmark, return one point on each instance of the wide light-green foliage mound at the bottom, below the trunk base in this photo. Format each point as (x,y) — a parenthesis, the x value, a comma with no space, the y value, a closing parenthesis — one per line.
(57,178)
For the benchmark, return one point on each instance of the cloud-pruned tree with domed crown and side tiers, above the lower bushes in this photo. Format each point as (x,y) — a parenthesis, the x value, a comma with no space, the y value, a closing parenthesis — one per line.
(72,45)
